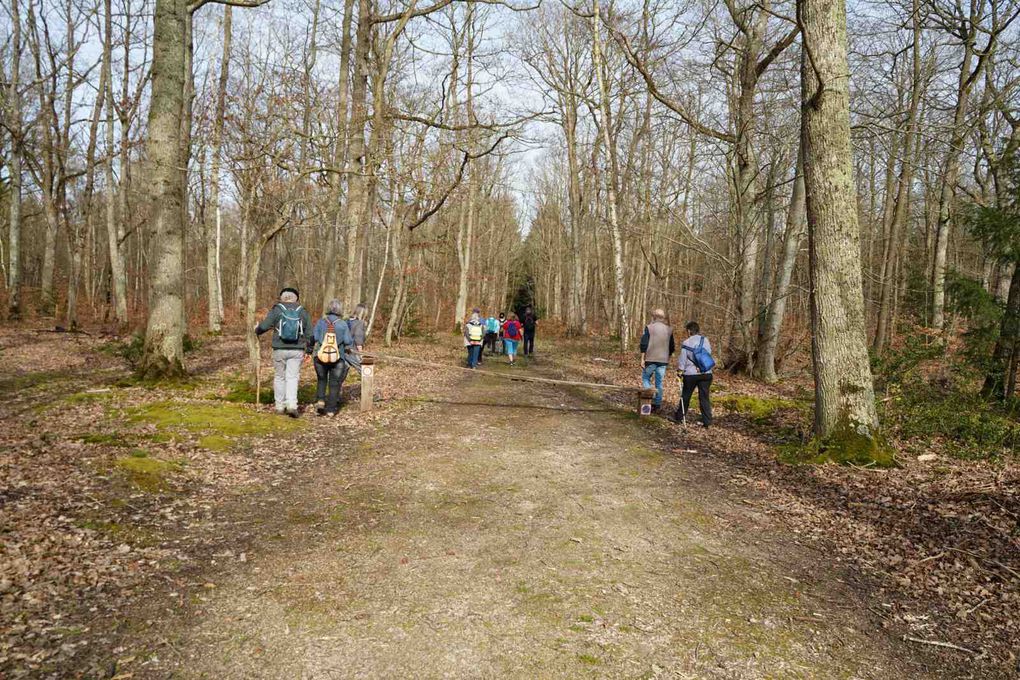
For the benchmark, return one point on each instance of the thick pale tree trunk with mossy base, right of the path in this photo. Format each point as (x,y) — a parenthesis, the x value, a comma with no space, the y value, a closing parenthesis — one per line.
(845,404)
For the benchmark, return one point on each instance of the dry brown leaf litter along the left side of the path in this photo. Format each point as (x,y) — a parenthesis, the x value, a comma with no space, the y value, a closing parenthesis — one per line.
(80,545)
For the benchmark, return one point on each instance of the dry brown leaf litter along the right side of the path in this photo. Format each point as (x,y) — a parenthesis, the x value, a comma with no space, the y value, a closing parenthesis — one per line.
(938,541)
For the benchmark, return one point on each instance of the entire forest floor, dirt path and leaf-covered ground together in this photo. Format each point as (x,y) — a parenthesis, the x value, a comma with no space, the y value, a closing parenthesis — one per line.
(469,528)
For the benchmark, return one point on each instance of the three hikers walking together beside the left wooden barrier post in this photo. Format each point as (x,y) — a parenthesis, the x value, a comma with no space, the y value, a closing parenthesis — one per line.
(333,344)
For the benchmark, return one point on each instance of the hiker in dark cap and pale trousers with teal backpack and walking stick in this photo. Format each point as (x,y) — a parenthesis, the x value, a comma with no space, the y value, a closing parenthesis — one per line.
(292,343)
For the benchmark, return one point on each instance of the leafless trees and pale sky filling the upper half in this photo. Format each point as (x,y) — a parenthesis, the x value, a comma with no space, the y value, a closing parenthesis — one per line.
(171,166)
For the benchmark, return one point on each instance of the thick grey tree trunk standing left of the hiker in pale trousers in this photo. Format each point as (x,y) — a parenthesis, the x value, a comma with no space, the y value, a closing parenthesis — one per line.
(164,353)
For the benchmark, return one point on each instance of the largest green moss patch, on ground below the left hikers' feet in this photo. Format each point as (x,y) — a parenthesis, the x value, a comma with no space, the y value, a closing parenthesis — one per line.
(219,425)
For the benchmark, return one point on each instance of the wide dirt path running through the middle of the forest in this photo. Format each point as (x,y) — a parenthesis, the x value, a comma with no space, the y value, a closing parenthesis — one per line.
(553,539)
